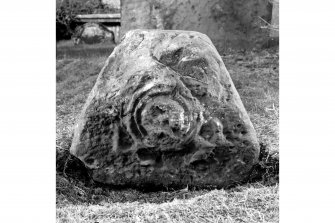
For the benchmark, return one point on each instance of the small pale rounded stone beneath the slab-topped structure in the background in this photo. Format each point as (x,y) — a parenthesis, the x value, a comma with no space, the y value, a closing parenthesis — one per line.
(91,33)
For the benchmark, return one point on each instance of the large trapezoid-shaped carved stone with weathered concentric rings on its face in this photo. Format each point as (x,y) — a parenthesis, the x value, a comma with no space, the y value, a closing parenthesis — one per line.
(164,112)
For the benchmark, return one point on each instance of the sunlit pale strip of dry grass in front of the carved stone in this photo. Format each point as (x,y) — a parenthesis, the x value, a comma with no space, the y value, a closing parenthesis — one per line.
(252,203)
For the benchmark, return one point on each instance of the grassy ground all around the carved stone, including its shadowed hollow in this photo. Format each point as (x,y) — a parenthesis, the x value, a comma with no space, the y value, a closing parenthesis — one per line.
(79,199)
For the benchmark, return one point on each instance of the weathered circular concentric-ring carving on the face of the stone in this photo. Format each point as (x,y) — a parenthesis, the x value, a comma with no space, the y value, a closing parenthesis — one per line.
(163,114)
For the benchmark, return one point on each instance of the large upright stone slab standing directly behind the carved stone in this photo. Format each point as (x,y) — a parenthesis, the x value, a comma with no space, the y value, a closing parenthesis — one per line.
(228,23)
